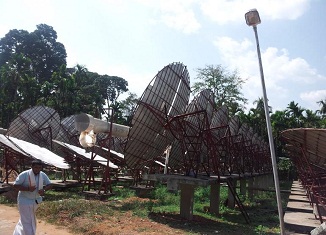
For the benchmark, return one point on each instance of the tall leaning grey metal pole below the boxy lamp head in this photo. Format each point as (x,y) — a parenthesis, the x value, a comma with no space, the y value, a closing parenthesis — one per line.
(270,138)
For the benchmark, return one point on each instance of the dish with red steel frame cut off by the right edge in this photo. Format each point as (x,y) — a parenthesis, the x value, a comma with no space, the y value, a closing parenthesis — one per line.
(307,149)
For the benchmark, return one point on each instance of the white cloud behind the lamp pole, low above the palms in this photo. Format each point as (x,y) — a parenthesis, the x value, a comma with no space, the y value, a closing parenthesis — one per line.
(285,77)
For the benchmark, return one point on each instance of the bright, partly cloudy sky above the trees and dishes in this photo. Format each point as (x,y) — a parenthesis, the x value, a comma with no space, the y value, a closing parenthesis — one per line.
(134,39)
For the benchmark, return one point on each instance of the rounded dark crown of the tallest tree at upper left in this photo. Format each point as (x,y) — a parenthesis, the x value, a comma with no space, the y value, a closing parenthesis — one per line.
(40,46)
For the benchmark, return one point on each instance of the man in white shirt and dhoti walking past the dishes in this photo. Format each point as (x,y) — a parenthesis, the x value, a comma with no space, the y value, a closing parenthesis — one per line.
(32,185)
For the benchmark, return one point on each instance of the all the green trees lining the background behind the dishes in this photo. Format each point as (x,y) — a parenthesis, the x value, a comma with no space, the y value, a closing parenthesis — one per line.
(33,72)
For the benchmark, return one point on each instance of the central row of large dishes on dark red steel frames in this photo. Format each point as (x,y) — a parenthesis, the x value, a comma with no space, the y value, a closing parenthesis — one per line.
(201,138)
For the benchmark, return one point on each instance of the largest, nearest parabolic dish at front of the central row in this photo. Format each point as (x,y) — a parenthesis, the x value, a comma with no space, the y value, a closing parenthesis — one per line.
(166,96)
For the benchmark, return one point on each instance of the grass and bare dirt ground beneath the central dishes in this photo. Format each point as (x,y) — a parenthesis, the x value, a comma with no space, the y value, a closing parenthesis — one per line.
(86,216)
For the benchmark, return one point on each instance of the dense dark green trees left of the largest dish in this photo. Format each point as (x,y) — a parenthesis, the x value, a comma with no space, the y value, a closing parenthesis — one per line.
(33,72)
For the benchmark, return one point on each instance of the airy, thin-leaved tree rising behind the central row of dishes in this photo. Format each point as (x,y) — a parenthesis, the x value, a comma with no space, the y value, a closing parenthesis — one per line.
(225,86)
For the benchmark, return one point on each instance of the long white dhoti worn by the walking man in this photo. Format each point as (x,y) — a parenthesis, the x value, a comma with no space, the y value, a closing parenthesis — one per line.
(27,221)
